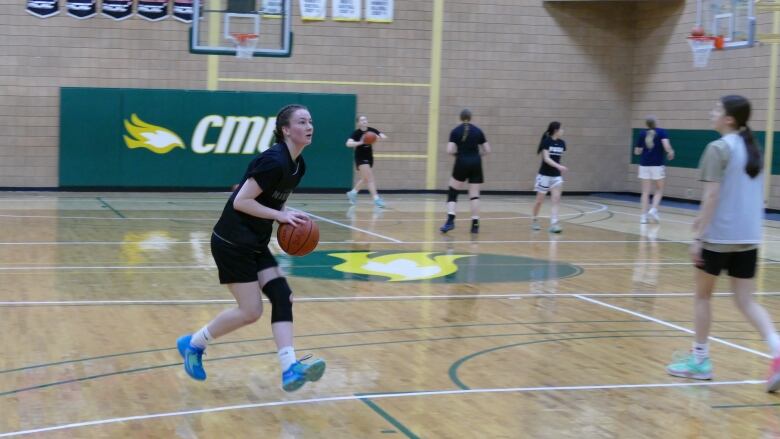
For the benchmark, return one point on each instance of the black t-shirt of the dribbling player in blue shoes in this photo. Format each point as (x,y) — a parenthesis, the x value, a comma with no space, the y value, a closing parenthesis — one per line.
(277,174)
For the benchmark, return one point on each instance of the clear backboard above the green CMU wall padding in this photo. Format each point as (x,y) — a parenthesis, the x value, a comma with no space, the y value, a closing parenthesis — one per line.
(216,23)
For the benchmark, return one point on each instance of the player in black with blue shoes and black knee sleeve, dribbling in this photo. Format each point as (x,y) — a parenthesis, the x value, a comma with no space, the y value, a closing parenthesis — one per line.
(239,245)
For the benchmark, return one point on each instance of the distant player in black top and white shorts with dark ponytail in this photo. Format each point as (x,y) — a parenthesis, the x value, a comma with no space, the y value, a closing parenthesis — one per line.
(549,178)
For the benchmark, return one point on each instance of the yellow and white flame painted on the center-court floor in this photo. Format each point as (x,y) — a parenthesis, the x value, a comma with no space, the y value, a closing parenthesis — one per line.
(399,266)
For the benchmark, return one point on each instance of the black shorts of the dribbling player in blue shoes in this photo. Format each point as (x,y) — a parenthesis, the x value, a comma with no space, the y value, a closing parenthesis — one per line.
(238,264)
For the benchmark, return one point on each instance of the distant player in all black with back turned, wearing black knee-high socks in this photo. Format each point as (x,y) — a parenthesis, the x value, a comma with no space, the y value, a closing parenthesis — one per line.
(468,145)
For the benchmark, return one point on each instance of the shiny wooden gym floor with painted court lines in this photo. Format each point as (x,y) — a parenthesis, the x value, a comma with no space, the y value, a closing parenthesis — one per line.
(511,333)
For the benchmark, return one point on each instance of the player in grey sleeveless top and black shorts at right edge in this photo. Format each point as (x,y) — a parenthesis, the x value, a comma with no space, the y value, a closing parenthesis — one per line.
(727,233)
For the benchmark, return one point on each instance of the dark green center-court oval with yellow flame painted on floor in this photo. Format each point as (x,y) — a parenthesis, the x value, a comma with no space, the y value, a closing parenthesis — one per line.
(440,267)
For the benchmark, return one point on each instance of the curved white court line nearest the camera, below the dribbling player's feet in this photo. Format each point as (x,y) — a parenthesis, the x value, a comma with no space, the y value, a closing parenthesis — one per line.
(373,396)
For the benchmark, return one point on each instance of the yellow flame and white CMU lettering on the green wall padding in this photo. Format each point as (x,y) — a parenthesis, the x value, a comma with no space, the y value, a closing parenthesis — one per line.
(233,134)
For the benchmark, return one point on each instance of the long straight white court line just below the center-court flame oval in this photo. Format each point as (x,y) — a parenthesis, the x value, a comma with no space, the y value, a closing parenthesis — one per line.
(360,298)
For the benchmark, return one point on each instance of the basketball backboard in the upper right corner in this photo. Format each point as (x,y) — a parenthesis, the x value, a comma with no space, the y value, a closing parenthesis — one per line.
(734,20)
